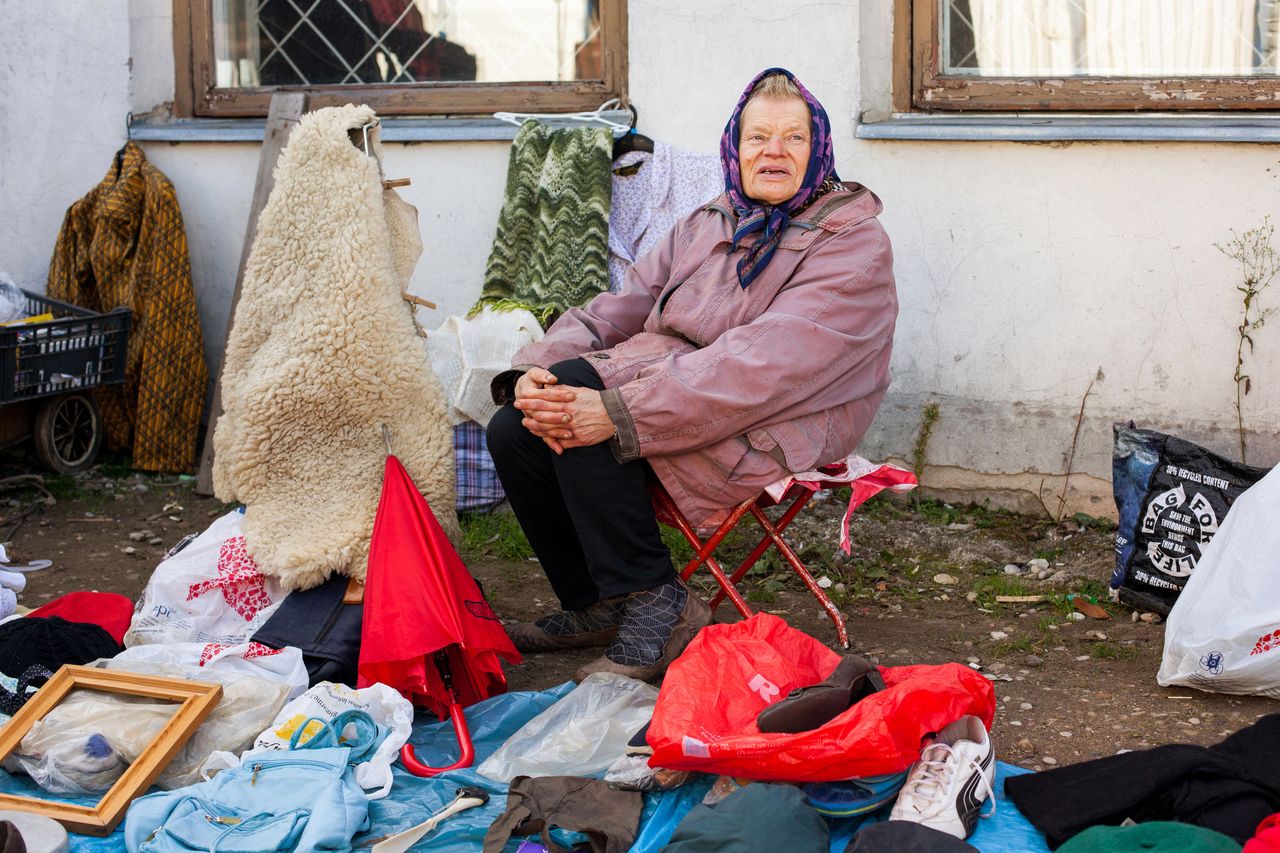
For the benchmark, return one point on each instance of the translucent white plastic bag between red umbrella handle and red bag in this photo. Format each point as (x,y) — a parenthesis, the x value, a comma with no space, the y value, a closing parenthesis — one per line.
(580,736)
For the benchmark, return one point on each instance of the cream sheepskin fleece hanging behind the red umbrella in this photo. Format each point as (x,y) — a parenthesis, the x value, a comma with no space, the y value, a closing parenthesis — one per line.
(322,353)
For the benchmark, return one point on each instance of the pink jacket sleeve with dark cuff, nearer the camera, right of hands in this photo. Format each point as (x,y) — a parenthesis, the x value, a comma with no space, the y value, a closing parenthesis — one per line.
(821,344)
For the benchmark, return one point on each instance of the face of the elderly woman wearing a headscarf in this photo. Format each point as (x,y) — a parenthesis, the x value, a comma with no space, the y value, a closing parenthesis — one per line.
(774,148)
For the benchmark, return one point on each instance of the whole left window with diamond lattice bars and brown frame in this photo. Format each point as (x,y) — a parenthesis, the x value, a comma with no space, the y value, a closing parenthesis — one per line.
(401,57)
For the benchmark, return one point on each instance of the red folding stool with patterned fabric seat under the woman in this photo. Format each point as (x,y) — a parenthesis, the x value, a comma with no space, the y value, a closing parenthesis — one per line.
(794,492)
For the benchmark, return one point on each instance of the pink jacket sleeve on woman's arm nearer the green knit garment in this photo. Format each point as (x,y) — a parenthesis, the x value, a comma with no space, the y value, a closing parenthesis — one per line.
(610,318)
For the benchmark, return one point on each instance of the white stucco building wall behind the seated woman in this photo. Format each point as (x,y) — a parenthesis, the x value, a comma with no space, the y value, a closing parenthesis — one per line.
(1023,270)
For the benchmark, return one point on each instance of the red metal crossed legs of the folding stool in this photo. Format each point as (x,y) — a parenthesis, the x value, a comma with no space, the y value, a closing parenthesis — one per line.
(799,496)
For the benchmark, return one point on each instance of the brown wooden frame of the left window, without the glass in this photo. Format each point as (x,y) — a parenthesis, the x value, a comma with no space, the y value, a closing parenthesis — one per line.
(196,94)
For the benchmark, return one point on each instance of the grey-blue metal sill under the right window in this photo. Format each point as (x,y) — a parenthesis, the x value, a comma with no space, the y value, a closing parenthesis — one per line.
(1039,127)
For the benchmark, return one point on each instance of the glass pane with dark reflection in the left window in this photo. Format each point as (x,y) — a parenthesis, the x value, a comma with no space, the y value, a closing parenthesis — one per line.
(289,43)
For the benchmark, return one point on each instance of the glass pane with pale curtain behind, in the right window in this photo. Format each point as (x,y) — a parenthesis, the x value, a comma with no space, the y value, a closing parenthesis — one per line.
(1109,38)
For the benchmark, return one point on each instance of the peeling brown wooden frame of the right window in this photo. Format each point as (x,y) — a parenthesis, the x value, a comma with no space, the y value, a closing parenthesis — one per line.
(921,88)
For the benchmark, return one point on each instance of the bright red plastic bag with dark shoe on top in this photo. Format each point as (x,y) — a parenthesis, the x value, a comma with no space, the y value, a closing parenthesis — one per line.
(706,714)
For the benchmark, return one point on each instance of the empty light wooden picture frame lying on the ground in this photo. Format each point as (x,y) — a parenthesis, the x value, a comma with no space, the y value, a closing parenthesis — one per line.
(196,701)
